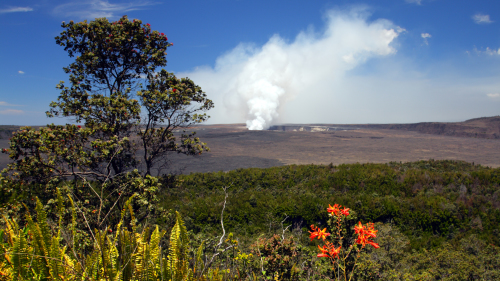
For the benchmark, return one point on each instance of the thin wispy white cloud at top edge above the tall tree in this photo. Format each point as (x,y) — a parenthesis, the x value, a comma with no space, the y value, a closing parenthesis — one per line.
(91,9)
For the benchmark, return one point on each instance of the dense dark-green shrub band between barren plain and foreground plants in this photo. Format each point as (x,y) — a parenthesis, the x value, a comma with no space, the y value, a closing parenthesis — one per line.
(429,201)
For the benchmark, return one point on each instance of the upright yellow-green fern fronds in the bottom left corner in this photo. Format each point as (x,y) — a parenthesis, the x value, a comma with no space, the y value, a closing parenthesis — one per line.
(35,253)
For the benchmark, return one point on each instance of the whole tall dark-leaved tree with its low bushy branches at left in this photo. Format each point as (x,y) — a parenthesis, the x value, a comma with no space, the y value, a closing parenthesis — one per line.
(113,60)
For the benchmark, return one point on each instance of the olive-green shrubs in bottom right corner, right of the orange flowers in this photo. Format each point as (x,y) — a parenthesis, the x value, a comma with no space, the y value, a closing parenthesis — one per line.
(466,259)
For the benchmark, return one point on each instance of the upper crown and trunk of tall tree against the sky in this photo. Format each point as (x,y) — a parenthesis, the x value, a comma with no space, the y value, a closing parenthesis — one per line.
(112,59)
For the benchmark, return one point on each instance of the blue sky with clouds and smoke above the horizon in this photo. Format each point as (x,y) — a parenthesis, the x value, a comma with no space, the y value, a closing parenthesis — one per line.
(275,61)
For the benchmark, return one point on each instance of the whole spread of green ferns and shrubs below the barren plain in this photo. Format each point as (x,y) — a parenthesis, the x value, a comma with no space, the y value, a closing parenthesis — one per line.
(442,228)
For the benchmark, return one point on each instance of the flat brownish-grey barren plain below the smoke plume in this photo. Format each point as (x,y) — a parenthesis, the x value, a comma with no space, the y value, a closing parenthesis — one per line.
(233,146)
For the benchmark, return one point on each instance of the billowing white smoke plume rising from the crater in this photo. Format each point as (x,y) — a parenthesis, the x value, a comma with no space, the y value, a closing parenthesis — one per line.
(255,83)
